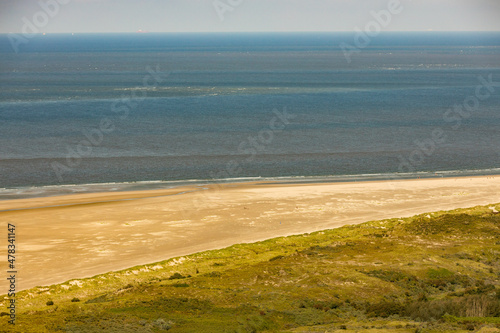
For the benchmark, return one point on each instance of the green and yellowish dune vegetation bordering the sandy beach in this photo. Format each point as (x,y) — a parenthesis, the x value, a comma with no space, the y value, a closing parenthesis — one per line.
(433,272)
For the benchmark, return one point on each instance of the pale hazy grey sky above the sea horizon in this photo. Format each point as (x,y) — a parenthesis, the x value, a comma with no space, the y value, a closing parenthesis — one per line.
(243,15)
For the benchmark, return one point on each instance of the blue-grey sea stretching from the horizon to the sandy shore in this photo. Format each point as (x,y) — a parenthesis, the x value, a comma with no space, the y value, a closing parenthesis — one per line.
(99,108)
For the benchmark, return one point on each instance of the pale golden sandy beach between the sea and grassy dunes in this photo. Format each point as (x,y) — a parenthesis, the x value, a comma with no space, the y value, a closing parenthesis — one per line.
(81,235)
